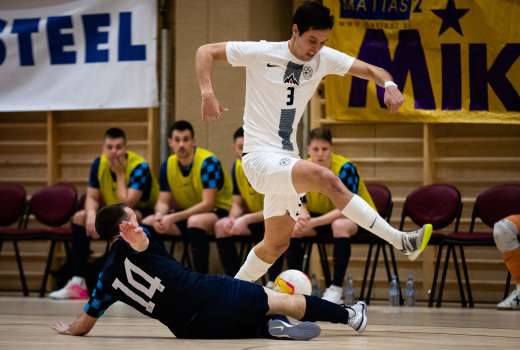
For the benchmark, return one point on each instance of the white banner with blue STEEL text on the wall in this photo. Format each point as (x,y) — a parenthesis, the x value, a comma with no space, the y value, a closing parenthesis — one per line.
(77,54)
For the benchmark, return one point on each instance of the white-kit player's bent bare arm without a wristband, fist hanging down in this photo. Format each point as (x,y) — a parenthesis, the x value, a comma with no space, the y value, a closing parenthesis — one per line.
(204,57)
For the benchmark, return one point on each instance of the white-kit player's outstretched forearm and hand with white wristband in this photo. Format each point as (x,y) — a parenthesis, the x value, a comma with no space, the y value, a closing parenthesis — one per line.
(393,97)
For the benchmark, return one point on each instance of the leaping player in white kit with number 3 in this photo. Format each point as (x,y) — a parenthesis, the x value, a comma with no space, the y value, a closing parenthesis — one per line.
(281,77)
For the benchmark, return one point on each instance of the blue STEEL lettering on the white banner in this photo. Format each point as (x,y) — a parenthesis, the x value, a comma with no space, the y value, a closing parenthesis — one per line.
(61,42)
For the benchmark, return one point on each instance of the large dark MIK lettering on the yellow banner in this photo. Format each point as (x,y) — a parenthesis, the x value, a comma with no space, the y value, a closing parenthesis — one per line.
(409,58)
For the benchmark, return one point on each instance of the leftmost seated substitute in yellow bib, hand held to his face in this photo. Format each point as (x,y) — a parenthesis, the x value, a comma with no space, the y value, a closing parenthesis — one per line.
(118,175)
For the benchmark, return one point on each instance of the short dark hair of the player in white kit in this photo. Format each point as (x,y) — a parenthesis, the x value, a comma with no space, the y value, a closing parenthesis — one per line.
(312,15)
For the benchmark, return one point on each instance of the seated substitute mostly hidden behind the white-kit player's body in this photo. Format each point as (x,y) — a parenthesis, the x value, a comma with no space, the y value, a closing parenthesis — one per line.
(245,217)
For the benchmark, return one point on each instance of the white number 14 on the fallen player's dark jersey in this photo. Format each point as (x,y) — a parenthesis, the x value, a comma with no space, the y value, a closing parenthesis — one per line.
(155,285)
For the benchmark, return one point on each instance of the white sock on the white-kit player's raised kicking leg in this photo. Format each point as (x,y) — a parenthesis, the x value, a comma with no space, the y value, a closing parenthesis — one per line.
(365,216)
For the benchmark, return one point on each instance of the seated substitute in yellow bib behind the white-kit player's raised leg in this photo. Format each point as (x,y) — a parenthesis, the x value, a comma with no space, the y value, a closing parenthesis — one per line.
(324,216)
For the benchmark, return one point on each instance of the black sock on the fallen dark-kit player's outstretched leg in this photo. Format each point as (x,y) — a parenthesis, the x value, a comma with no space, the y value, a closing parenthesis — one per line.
(318,309)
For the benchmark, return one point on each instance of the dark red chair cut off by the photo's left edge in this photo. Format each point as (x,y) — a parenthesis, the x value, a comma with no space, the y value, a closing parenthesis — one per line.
(12,210)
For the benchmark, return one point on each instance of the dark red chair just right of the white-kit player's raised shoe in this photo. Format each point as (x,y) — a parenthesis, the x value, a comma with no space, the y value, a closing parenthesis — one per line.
(440,205)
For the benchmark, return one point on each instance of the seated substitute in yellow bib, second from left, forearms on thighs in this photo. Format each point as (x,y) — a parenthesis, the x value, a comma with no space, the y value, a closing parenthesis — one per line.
(193,178)
